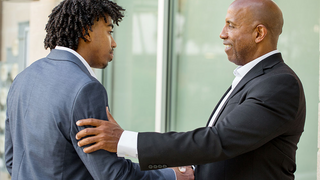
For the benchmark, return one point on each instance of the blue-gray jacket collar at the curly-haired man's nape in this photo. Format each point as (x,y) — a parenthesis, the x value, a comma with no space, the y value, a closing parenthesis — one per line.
(60,55)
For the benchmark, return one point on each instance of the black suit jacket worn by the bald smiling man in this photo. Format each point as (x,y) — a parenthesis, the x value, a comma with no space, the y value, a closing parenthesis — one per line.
(254,137)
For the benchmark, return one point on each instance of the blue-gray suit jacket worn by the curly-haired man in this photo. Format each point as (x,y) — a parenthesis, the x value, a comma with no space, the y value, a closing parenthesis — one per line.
(43,105)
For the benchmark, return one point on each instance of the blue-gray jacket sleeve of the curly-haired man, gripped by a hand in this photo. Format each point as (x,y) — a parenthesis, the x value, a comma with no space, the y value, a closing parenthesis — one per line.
(91,102)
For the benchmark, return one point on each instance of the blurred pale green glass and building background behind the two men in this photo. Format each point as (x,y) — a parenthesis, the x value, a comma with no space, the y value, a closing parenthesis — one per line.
(170,68)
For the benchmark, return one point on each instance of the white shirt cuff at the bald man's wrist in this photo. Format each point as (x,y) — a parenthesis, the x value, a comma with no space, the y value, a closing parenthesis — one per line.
(127,145)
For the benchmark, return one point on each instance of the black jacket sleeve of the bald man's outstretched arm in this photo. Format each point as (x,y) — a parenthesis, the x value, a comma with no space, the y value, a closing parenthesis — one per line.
(268,108)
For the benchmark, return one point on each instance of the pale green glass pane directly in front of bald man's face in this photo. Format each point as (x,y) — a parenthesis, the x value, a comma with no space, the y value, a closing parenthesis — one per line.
(201,73)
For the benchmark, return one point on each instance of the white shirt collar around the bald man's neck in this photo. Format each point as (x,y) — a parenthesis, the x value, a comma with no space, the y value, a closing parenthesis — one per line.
(241,71)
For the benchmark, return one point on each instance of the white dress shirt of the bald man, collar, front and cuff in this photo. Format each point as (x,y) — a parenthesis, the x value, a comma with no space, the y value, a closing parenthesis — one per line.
(127,146)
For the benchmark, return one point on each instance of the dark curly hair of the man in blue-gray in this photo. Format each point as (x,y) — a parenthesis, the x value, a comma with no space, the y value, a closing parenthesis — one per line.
(71,18)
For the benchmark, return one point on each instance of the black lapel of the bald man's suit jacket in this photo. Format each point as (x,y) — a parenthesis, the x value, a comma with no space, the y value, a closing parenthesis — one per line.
(256,71)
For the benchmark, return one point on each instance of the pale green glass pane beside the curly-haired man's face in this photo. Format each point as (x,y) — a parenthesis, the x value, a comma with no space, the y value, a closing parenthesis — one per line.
(131,77)
